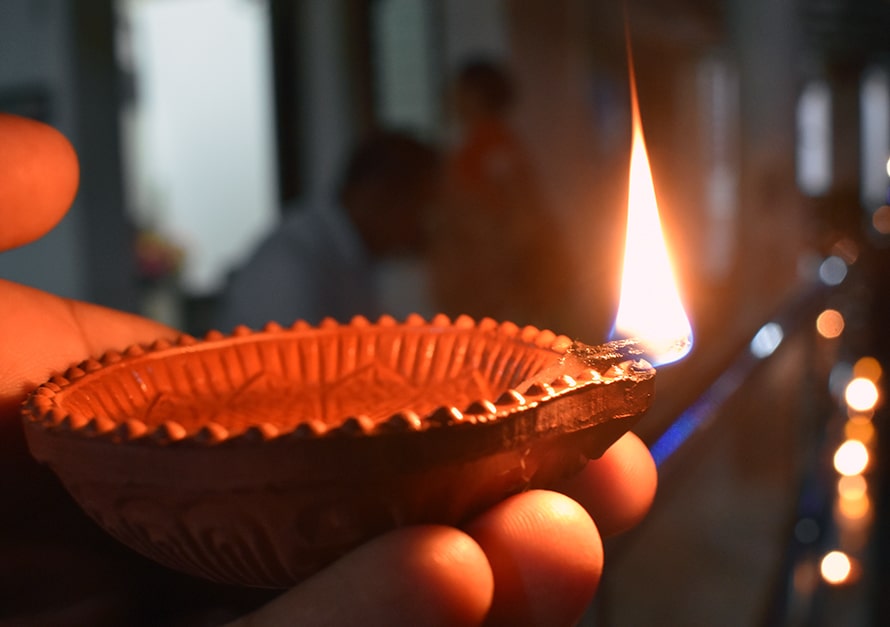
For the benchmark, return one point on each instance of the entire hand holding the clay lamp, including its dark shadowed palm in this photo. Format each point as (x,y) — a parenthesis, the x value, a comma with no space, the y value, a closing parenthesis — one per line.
(534,558)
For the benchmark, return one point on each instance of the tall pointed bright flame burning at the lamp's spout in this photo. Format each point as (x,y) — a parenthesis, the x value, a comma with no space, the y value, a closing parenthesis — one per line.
(650,308)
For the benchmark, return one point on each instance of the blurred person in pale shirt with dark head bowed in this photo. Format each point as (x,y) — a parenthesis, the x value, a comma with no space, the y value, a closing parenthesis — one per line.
(325,261)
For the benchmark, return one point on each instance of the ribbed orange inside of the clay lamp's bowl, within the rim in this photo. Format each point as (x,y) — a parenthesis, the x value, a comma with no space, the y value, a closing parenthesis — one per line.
(329,375)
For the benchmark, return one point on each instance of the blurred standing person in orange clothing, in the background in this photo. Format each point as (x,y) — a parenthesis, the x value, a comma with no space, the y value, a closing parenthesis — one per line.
(495,211)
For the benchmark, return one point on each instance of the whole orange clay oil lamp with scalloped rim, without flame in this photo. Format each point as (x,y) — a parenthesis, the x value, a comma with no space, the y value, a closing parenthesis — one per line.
(260,457)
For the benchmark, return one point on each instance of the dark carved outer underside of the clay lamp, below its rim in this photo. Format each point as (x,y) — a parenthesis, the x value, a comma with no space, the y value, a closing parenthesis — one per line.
(281,534)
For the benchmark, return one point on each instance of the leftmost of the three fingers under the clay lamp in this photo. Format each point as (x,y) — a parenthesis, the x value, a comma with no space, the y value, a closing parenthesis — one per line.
(426,575)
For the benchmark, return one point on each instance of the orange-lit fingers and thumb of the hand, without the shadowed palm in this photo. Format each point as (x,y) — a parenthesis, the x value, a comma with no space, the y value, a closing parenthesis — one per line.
(534,559)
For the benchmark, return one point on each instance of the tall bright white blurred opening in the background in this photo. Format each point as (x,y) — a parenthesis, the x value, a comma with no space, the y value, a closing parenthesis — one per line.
(203,170)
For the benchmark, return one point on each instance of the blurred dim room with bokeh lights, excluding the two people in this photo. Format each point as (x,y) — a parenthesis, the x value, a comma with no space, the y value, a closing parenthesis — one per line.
(201,124)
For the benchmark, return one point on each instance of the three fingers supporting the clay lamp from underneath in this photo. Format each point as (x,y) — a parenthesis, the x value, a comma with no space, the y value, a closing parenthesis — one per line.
(533,559)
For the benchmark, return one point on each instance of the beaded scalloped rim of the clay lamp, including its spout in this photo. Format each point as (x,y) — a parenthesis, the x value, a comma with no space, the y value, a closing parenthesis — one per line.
(606,363)
